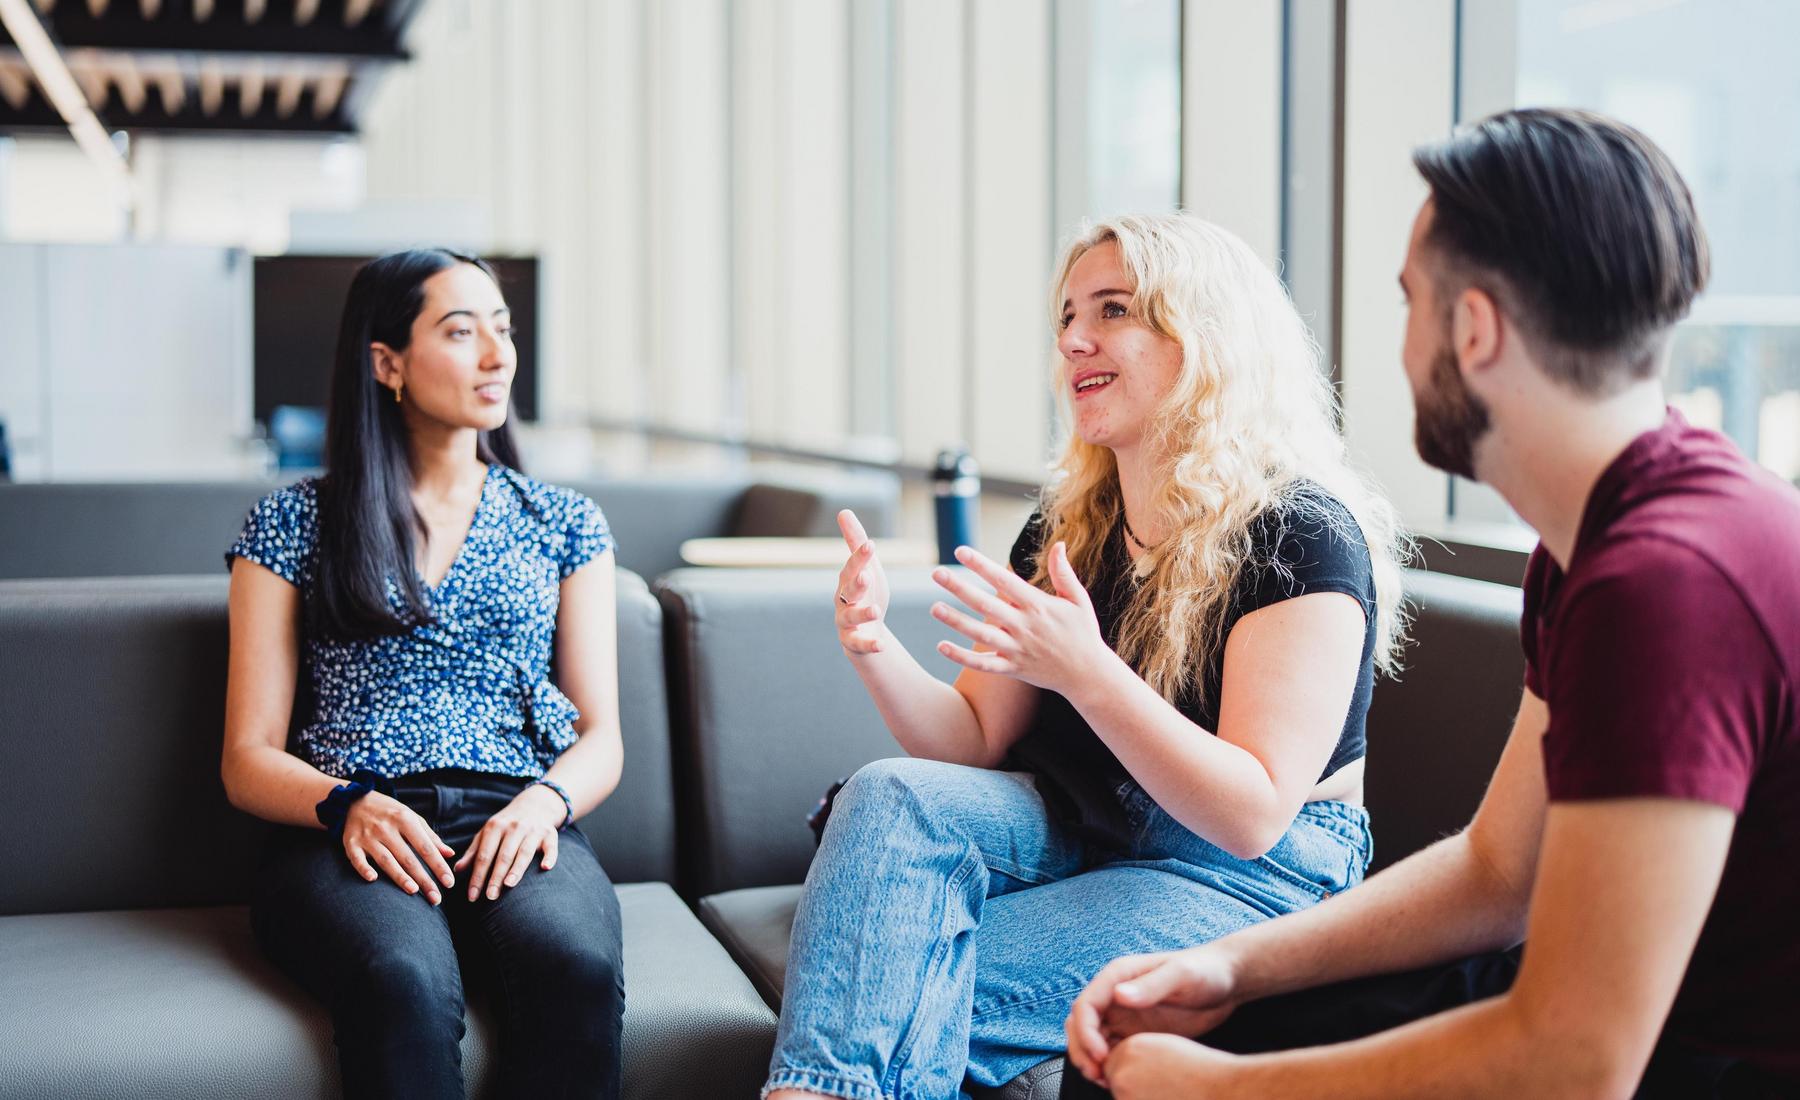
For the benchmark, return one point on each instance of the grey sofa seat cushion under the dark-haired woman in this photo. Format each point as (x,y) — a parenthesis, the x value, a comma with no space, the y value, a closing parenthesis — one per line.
(181,1004)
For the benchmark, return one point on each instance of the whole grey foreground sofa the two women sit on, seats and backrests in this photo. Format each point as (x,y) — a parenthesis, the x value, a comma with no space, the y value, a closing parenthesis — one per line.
(125,950)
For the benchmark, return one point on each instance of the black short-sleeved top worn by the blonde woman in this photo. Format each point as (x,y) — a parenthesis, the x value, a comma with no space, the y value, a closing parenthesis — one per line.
(1308,545)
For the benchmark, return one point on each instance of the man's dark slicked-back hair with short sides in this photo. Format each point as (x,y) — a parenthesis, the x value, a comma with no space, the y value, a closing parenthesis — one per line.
(1581,230)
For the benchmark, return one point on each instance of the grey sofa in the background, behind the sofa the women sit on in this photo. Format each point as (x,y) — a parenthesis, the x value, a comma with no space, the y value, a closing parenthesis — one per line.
(175,528)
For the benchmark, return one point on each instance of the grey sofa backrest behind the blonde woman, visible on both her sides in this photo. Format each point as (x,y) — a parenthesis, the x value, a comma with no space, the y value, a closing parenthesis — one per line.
(769,714)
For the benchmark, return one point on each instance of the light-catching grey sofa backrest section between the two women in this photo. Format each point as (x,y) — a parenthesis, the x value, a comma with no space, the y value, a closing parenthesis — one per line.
(769,714)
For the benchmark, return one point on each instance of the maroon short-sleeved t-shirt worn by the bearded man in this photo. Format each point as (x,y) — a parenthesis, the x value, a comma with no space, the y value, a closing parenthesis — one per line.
(1669,656)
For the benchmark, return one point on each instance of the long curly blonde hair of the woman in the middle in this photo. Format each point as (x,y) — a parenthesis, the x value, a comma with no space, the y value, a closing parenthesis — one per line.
(1250,419)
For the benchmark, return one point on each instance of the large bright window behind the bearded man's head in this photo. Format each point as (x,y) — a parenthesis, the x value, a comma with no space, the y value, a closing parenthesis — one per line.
(1714,84)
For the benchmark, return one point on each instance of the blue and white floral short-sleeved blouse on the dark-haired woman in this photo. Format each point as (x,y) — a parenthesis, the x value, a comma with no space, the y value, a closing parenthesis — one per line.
(471,690)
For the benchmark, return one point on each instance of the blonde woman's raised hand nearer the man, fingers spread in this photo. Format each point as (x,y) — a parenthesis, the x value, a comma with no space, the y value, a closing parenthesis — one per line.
(1029,635)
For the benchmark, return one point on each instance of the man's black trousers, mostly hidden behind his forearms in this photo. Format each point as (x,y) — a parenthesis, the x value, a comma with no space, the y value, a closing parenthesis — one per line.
(1369,1005)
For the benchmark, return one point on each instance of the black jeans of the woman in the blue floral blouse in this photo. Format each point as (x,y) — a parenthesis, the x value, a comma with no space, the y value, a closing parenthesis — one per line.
(391,966)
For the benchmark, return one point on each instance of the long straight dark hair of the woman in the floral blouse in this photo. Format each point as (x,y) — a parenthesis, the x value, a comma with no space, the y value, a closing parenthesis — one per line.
(368,527)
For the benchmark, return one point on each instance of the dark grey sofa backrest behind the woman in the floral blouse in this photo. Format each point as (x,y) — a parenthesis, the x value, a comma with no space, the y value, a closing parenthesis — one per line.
(112,699)
